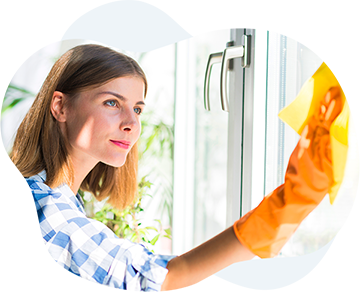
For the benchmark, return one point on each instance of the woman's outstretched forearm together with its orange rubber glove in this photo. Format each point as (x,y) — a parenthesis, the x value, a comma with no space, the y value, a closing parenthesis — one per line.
(267,228)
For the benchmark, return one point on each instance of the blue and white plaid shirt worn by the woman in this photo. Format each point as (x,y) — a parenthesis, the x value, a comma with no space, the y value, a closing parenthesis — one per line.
(89,247)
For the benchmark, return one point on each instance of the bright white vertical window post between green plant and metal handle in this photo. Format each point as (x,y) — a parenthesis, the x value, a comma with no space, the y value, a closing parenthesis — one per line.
(184,148)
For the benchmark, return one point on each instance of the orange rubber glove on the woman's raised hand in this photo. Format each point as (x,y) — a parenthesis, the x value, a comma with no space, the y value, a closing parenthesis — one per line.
(265,229)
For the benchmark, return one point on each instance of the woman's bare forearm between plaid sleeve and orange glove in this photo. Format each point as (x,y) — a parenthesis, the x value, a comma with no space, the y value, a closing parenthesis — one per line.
(193,270)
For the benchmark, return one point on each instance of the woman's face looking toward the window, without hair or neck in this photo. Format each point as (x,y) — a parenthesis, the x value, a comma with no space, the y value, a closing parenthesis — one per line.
(103,124)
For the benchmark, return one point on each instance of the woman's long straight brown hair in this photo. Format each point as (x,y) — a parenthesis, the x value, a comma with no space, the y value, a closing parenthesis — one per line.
(39,144)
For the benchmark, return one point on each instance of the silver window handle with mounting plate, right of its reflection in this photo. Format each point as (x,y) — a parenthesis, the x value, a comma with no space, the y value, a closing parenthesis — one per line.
(232,53)
